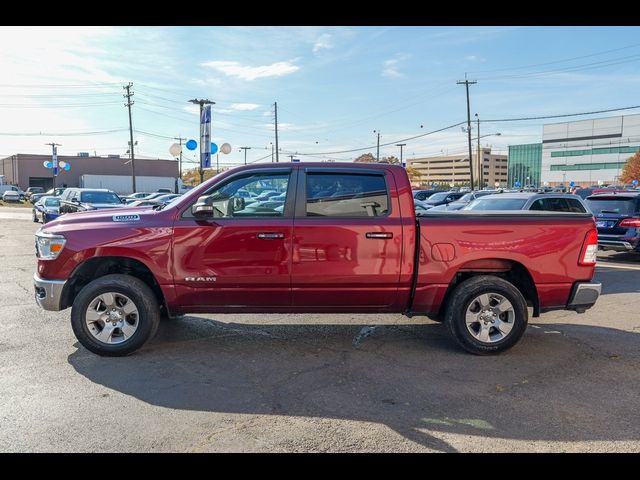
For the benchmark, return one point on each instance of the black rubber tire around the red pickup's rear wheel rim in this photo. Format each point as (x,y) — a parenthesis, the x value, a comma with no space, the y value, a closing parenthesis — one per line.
(462,298)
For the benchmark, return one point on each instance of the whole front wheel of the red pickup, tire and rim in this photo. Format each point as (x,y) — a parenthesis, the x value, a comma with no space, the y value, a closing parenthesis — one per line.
(115,315)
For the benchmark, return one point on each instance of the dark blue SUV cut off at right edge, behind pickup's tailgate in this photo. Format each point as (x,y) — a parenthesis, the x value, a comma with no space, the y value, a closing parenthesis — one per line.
(618,220)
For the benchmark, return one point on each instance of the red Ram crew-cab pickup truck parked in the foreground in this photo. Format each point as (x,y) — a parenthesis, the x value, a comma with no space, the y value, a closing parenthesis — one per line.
(285,238)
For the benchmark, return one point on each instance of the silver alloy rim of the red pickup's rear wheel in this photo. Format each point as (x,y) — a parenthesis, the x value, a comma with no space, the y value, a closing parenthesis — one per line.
(490,317)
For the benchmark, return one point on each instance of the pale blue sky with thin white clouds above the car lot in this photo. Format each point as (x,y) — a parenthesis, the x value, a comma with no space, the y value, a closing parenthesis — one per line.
(334,85)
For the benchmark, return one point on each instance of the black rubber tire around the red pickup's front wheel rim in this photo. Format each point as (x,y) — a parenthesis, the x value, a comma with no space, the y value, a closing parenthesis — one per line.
(144,300)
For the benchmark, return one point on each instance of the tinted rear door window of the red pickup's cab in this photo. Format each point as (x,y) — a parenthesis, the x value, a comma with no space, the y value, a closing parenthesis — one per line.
(346,195)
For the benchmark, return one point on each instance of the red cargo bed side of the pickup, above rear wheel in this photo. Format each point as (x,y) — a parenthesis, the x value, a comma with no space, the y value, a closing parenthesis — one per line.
(544,244)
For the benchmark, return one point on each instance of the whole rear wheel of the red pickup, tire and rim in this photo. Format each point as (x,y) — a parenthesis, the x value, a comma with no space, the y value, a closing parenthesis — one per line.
(486,315)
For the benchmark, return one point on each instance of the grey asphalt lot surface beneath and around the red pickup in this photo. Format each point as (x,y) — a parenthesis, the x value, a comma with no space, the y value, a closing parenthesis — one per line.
(318,382)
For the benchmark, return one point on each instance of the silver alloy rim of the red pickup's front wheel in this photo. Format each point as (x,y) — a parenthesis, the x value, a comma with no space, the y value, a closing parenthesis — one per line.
(112,318)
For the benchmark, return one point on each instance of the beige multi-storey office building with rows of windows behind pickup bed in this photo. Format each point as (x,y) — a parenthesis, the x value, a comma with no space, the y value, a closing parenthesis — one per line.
(454,169)
